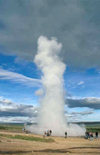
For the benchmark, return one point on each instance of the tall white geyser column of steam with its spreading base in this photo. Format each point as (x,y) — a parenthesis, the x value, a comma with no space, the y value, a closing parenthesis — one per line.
(51,112)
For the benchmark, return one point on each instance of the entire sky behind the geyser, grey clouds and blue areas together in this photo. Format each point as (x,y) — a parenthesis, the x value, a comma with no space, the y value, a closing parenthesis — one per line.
(21,23)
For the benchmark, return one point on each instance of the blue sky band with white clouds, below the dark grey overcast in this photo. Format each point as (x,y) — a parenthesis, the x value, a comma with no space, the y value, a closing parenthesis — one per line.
(77,84)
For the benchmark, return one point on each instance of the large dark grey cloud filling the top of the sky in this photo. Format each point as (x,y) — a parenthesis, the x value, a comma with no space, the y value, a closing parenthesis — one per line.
(75,23)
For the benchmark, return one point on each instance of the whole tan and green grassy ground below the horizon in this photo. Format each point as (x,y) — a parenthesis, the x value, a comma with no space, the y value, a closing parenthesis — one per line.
(14,141)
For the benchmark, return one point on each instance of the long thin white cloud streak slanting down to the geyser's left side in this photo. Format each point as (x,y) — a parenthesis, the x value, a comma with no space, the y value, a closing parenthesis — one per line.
(19,78)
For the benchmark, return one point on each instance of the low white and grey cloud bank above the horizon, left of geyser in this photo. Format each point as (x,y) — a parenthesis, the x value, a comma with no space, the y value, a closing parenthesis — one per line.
(12,112)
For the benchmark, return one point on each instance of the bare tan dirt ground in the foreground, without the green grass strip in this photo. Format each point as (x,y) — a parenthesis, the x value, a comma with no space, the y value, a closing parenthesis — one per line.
(61,146)
